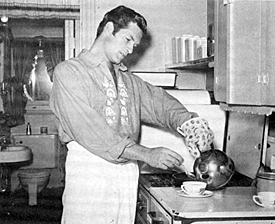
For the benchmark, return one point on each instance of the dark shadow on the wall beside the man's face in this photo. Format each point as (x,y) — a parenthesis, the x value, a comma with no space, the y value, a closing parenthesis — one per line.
(132,59)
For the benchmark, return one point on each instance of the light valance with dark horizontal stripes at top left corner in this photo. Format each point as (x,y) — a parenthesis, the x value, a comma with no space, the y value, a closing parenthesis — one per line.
(40,9)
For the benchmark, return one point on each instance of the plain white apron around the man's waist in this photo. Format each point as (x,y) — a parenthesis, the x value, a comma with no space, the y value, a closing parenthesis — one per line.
(97,191)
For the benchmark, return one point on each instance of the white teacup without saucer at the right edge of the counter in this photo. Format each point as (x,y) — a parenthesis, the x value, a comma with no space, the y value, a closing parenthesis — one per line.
(265,199)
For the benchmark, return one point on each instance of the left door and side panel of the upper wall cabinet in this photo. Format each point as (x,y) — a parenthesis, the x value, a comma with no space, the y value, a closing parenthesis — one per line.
(238,52)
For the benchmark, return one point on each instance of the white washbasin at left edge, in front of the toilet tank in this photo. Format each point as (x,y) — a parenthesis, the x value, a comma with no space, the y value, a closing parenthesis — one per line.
(14,153)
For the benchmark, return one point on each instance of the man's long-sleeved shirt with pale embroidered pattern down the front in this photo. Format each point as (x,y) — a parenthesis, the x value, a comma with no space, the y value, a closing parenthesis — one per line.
(101,117)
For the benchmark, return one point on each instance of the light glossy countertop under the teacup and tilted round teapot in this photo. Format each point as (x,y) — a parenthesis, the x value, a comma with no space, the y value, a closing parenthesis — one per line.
(230,202)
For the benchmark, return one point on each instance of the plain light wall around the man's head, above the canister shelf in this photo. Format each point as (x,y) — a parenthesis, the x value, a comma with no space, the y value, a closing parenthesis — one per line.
(165,19)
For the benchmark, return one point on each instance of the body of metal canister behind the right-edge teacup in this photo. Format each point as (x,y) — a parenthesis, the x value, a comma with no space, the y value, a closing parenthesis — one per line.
(265,182)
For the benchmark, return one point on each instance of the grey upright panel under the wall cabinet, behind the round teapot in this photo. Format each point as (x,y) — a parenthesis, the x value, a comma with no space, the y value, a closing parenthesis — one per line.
(244,141)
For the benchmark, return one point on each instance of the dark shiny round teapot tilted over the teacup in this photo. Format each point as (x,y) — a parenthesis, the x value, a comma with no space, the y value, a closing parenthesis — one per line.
(215,168)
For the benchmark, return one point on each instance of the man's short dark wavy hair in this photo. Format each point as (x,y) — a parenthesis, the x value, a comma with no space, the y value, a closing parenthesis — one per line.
(121,16)
